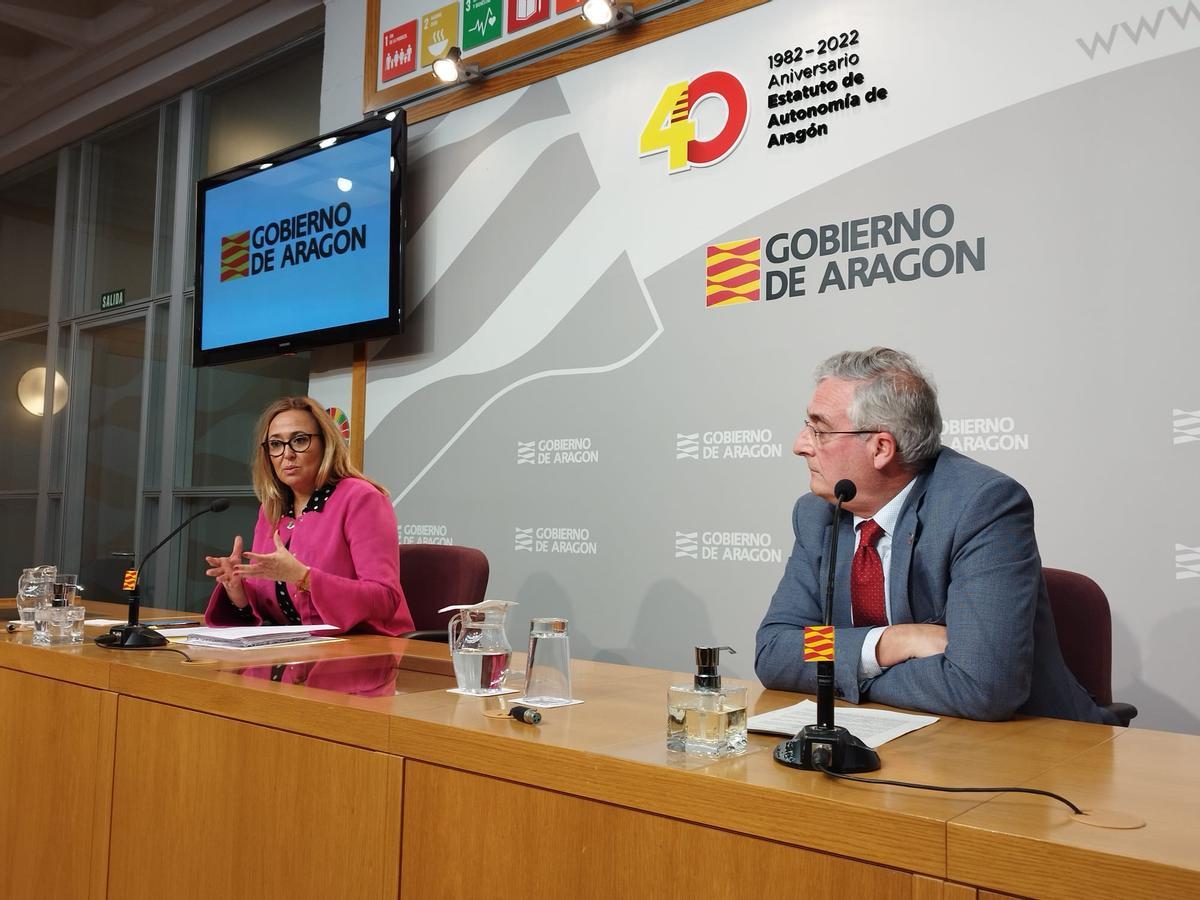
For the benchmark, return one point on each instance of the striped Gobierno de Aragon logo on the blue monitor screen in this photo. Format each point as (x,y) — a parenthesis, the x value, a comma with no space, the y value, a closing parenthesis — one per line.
(287,243)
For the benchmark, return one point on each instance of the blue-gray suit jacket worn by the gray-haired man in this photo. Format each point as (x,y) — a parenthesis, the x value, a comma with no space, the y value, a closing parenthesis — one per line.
(964,556)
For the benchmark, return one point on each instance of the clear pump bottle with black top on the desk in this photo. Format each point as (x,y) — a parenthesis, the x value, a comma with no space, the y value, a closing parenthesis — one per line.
(704,718)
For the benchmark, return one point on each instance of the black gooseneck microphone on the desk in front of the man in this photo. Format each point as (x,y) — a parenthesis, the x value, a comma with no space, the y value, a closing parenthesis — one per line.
(825,745)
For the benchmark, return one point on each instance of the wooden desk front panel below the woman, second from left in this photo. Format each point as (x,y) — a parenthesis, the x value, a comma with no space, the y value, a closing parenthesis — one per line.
(206,807)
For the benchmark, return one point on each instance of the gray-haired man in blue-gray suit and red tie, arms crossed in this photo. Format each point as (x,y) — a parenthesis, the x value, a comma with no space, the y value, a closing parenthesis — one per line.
(939,598)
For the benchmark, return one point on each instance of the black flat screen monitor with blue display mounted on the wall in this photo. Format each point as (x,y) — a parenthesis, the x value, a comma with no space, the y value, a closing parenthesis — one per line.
(303,249)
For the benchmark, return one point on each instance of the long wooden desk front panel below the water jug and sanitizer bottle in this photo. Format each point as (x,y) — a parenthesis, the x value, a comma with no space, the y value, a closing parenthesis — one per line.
(466,832)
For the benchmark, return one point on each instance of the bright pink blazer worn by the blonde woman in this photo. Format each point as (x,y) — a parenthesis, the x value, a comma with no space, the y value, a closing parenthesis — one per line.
(353,553)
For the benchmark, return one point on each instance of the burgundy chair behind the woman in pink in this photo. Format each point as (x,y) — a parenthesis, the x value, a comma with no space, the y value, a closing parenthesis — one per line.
(437,575)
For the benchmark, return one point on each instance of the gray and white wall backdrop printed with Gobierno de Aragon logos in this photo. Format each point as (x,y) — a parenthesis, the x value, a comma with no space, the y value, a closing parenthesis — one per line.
(614,316)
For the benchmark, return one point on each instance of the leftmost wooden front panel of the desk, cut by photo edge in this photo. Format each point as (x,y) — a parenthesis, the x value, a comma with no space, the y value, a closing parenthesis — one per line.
(57,754)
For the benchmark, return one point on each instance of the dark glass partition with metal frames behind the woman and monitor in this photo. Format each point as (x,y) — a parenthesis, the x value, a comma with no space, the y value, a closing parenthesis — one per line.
(95,224)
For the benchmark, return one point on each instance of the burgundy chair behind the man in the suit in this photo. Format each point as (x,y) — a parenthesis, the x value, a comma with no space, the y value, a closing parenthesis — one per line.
(1085,635)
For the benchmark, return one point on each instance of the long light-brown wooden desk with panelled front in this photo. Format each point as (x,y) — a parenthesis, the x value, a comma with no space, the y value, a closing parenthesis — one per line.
(205,781)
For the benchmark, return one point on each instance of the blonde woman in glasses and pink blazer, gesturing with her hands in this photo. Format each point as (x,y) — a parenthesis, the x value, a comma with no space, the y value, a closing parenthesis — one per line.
(326,549)
